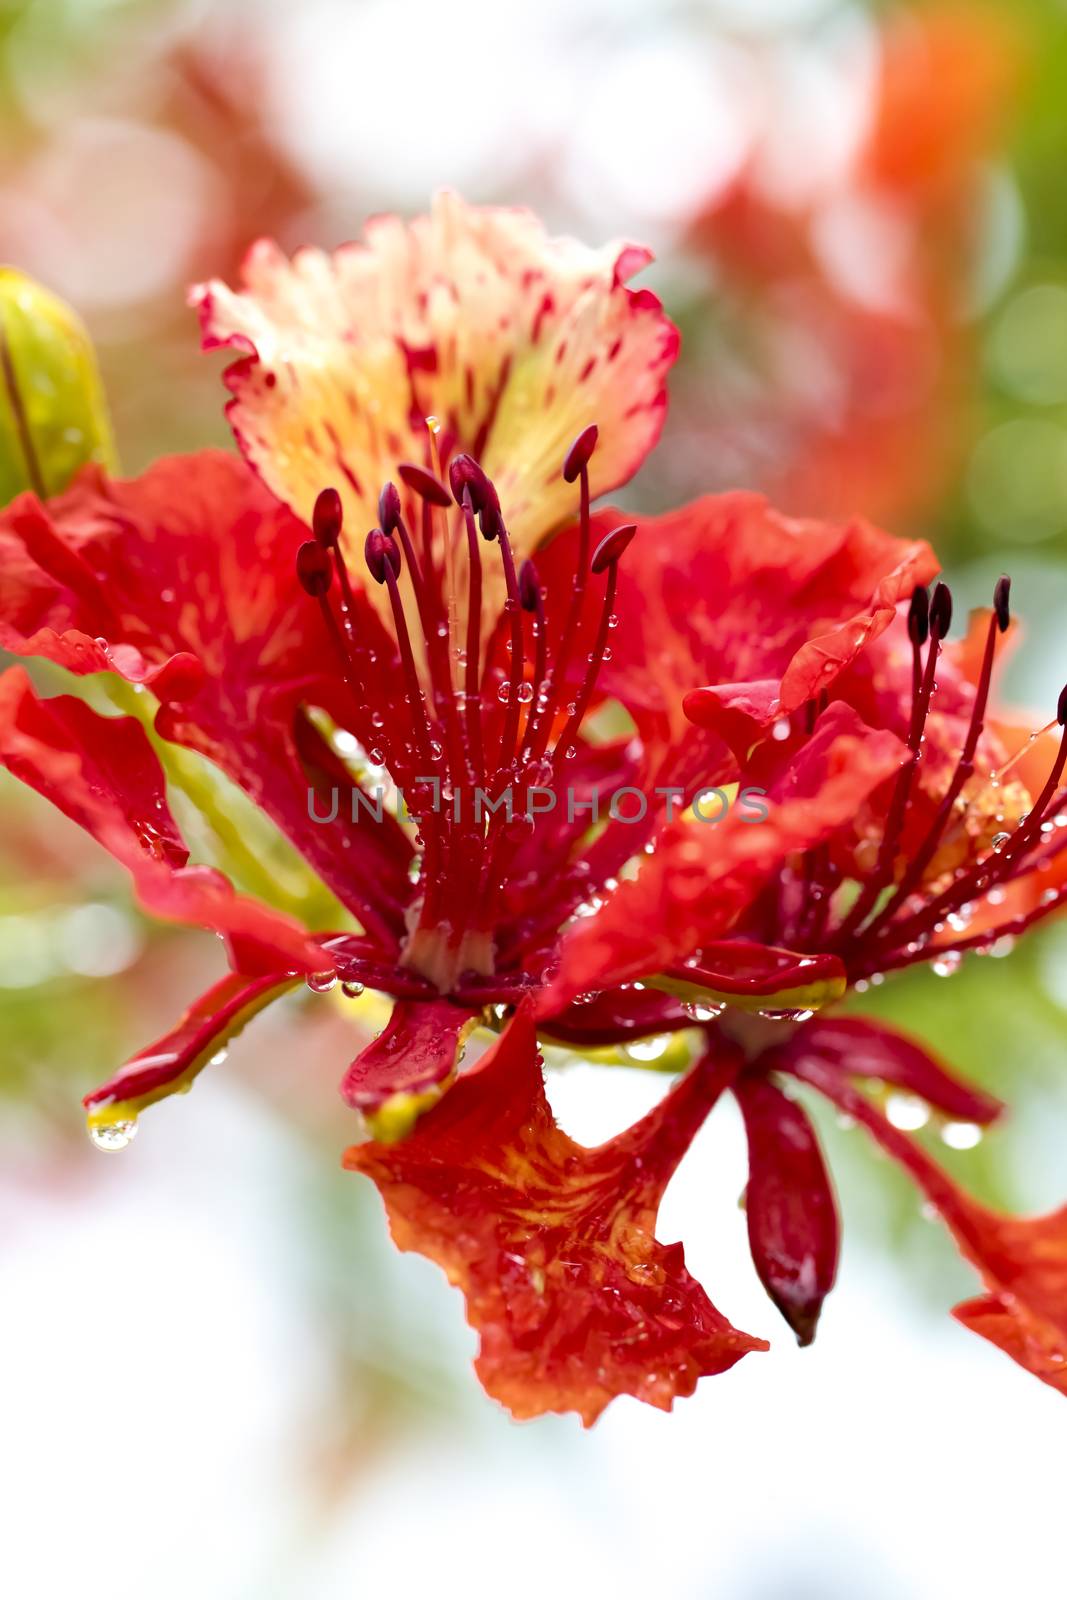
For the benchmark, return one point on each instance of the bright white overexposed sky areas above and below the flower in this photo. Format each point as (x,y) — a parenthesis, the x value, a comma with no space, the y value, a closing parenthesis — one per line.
(162,1366)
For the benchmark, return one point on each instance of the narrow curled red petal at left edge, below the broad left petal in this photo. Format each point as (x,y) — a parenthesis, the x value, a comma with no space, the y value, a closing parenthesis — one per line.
(102,774)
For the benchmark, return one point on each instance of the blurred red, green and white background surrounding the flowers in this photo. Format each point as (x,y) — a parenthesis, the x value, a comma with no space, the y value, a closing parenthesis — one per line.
(217,1378)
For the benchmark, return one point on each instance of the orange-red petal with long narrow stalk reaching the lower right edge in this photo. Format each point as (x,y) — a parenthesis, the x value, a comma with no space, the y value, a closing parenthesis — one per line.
(1021,1260)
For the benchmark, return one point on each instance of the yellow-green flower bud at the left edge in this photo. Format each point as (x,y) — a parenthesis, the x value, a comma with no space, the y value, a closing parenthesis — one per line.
(54,414)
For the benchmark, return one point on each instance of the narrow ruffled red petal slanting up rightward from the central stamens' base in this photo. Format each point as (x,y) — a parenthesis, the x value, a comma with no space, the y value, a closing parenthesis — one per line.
(703,878)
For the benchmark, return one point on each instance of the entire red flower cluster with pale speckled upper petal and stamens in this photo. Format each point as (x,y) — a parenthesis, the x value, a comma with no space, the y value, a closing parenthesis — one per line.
(457,386)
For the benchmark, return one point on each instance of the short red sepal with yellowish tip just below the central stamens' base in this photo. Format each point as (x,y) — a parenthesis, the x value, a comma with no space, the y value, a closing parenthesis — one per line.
(409,1066)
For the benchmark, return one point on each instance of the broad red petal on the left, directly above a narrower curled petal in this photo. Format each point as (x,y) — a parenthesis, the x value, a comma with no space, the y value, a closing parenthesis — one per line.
(198,561)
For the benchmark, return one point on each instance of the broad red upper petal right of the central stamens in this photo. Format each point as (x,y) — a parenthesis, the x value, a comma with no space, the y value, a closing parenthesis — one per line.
(727,591)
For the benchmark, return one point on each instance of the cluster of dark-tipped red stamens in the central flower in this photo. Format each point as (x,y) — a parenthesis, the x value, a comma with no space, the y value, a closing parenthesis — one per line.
(465,738)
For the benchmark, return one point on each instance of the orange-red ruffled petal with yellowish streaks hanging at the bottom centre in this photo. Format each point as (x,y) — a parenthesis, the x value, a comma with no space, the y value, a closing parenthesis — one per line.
(553,1244)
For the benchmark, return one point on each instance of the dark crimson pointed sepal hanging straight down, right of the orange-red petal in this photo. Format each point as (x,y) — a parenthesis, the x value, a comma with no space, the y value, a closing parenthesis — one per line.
(789,1206)
